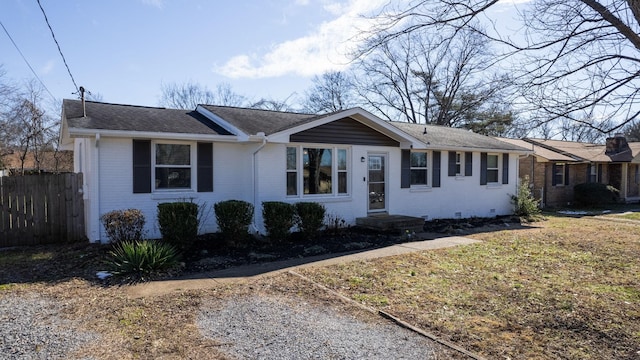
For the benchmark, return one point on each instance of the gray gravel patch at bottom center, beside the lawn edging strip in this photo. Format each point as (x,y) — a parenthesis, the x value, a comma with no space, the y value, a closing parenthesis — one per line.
(277,328)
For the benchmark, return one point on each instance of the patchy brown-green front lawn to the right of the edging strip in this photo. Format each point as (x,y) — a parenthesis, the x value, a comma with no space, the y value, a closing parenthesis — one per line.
(564,288)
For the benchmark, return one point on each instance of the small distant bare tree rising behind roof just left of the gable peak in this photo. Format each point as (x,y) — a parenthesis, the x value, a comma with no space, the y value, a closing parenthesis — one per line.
(333,91)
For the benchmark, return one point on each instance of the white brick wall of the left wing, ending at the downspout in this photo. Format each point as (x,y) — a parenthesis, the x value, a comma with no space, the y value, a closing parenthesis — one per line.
(231,180)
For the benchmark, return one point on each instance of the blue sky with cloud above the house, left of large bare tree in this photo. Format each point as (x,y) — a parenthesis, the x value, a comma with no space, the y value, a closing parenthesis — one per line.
(125,50)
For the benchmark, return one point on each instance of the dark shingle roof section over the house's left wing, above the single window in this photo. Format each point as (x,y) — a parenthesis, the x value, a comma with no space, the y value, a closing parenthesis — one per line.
(104,116)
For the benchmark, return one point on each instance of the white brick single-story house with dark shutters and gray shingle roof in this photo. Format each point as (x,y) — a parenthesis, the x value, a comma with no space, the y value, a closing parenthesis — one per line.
(351,161)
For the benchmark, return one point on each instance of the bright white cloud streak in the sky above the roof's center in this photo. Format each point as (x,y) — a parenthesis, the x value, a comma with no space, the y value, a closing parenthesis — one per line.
(322,50)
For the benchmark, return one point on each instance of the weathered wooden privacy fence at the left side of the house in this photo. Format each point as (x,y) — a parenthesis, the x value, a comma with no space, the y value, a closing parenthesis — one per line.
(41,209)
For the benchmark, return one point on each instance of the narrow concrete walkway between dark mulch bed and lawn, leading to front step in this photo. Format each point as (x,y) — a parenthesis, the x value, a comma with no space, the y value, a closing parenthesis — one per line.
(246,273)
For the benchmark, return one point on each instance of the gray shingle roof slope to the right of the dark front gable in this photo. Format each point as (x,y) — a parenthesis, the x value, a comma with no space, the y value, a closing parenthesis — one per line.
(448,137)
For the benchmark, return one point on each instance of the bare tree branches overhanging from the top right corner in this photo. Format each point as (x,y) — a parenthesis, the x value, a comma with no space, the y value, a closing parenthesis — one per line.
(577,60)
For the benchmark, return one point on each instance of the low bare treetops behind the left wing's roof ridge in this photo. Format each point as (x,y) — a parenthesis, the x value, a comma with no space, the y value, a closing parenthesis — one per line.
(189,94)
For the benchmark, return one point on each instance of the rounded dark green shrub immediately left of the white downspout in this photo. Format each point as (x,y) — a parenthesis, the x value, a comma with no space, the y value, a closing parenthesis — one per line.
(234,218)
